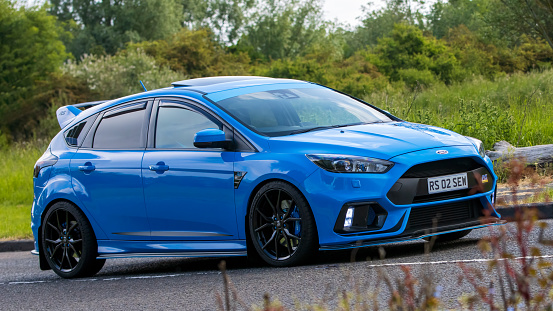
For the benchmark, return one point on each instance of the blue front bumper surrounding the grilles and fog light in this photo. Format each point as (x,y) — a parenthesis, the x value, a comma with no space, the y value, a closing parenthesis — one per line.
(410,214)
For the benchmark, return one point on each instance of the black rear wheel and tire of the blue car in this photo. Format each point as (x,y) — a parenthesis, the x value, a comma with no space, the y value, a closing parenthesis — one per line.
(69,243)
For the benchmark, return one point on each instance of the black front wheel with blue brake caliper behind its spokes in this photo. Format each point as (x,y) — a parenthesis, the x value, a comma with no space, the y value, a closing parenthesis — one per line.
(282,226)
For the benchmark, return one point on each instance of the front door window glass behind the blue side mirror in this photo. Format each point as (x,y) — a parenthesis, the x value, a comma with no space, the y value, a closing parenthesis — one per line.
(176,127)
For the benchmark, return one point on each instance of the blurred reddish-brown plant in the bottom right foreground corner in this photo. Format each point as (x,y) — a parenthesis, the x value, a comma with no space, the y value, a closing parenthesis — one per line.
(524,281)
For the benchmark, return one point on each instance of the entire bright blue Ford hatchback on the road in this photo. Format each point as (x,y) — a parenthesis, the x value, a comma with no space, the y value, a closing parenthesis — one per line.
(273,169)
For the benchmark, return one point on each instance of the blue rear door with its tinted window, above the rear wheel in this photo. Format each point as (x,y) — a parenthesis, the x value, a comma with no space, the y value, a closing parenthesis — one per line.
(106,171)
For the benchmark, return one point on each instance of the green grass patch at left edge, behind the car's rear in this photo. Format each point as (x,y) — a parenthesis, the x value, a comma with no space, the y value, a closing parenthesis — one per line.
(16,188)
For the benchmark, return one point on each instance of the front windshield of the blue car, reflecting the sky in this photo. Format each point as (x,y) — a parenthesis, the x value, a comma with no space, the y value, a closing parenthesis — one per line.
(293,111)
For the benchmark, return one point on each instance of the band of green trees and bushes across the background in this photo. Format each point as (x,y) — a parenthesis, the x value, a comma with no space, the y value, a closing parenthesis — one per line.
(115,43)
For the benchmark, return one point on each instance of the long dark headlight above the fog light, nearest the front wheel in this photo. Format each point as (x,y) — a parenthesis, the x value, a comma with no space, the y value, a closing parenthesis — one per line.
(338,163)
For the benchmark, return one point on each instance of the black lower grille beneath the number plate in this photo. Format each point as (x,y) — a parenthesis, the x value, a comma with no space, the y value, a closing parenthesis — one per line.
(442,215)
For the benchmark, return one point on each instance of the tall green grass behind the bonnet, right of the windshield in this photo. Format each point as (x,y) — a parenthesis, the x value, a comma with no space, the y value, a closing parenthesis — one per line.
(504,109)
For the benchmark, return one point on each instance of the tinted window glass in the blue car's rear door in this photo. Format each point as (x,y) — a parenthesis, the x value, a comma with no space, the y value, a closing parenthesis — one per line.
(120,131)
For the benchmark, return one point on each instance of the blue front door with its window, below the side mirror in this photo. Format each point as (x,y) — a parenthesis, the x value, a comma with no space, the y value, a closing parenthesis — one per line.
(189,192)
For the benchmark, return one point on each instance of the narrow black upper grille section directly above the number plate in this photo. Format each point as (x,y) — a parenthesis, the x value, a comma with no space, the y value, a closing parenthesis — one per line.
(442,167)
